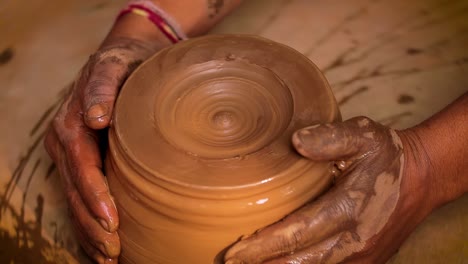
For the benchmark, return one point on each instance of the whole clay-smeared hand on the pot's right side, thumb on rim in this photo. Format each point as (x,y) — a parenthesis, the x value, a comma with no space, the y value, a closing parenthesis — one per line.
(373,206)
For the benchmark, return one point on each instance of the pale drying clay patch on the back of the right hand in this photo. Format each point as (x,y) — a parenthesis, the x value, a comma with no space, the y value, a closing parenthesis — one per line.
(374,204)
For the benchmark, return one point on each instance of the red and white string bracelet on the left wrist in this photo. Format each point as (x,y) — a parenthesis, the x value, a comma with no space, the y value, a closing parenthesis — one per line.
(165,23)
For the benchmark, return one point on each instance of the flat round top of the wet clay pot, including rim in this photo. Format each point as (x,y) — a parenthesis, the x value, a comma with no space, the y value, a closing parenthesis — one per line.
(218,111)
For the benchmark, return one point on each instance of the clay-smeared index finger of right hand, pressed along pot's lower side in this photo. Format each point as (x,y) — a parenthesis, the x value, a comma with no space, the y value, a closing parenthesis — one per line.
(313,223)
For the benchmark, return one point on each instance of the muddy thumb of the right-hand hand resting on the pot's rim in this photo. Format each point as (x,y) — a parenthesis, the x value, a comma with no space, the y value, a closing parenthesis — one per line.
(337,141)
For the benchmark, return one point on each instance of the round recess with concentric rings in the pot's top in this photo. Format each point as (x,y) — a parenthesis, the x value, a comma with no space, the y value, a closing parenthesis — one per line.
(232,111)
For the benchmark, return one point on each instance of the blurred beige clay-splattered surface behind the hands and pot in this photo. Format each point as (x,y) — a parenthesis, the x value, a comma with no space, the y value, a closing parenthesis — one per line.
(396,61)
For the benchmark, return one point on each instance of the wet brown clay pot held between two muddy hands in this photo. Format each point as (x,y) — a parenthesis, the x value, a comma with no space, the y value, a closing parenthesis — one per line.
(200,148)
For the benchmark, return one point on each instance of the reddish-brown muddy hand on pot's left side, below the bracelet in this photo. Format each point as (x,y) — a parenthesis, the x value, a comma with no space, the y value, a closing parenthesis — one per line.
(73,143)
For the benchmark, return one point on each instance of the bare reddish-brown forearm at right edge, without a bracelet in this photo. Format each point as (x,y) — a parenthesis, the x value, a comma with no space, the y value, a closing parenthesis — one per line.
(443,152)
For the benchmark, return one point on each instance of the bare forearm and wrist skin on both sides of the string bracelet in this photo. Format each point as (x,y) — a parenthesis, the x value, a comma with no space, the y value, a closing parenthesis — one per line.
(194,17)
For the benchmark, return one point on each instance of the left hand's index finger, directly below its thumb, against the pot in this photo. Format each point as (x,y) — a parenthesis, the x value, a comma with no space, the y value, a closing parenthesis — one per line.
(83,156)
